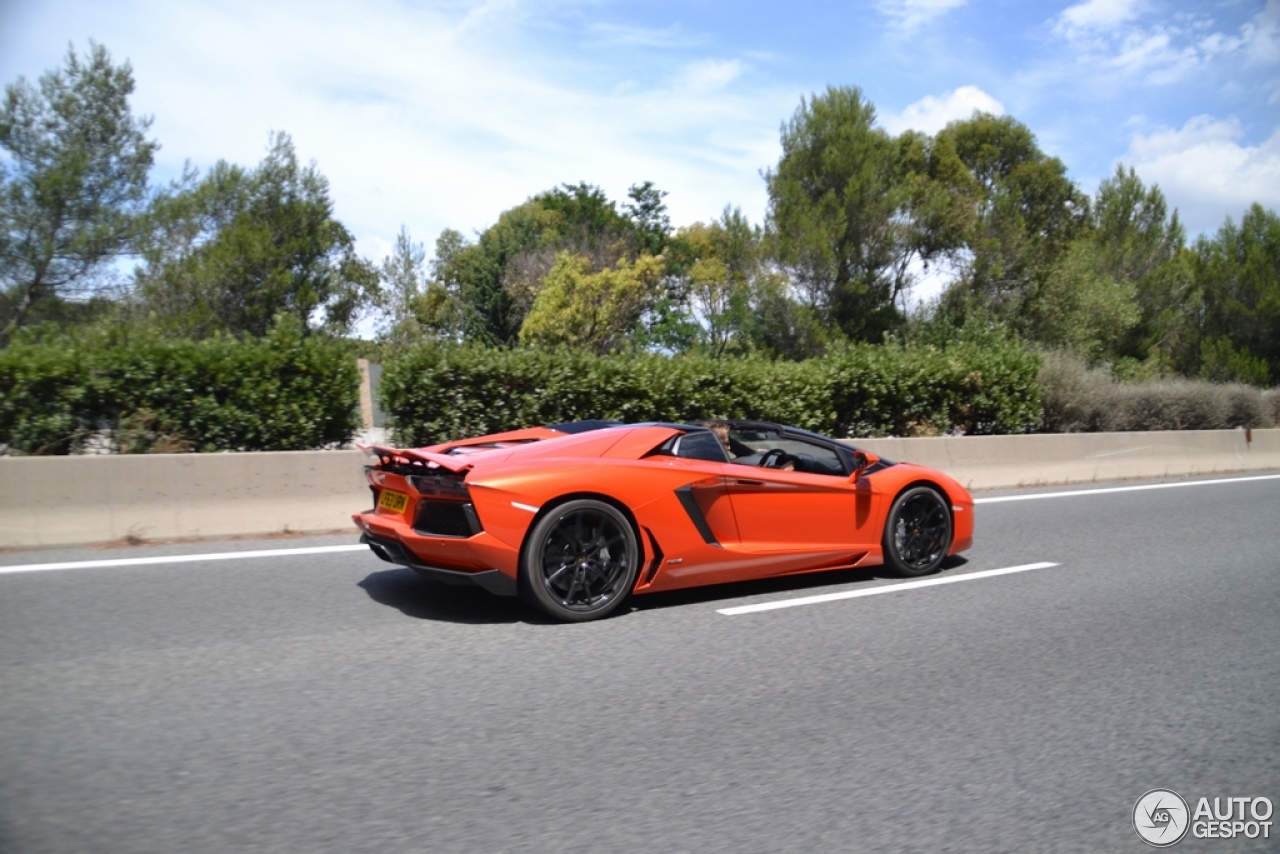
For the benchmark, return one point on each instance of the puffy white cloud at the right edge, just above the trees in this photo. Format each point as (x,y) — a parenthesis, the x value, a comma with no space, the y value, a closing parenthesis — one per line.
(1206,172)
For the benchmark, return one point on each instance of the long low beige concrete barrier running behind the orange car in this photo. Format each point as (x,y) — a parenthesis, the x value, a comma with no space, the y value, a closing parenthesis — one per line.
(68,501)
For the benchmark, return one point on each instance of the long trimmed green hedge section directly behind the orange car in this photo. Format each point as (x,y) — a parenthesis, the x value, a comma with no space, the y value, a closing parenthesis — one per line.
(440,394)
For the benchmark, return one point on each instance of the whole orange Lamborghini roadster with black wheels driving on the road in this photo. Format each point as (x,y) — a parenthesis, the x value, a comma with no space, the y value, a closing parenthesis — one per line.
(575,518)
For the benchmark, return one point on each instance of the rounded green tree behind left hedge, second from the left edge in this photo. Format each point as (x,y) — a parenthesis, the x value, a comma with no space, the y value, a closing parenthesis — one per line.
(232,250)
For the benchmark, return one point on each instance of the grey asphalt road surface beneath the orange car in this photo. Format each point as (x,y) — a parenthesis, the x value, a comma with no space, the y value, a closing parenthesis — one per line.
(328,702)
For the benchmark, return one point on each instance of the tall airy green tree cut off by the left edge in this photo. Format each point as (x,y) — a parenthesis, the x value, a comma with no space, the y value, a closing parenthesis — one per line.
(75,184)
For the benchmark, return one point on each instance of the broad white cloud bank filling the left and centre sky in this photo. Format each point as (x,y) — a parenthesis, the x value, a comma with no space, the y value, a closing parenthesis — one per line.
(433,117)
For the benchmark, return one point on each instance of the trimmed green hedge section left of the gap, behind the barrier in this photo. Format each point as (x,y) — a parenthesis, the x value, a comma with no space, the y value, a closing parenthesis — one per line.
(280,394)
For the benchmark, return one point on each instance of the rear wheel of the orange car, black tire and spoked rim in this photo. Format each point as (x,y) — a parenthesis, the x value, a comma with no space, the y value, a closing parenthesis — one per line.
(580,561)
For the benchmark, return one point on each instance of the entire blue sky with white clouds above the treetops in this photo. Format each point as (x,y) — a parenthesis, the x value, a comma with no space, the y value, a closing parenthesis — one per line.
(445,115)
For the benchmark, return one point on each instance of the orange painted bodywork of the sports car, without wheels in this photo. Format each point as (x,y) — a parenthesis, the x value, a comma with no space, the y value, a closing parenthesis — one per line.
(755,523)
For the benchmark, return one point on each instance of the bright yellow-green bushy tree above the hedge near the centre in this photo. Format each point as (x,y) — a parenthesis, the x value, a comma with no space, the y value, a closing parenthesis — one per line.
(596,310)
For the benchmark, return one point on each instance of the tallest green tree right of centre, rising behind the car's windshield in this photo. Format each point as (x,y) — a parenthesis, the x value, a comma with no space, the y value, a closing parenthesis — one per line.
(856,214)
